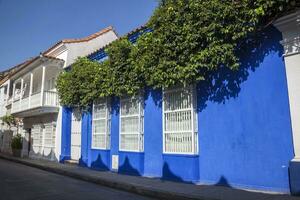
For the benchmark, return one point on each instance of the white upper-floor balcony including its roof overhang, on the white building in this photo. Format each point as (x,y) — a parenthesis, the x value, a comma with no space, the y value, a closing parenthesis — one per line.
(30,90)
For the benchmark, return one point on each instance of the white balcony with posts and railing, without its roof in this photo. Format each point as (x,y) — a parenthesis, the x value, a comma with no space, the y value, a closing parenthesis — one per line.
(34,92)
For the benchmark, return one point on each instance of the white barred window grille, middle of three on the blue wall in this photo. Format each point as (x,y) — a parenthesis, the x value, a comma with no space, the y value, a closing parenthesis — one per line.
(132,124)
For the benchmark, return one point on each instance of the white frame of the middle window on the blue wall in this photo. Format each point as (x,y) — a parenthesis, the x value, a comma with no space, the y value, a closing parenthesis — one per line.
(140,116)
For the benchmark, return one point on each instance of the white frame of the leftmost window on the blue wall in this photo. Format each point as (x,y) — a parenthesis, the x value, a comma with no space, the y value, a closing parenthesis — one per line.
(107,125)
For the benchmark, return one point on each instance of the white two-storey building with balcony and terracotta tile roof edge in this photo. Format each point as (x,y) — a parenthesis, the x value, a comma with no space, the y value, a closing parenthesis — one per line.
(28,93)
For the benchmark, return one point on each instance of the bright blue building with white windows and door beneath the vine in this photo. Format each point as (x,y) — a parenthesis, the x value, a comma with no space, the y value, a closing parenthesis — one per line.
(238,128)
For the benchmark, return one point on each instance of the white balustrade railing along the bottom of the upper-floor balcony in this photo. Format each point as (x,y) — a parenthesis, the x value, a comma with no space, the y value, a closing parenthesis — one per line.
(50,99)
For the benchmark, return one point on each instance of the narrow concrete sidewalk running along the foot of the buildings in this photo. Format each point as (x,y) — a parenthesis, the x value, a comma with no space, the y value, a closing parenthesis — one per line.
(148,186)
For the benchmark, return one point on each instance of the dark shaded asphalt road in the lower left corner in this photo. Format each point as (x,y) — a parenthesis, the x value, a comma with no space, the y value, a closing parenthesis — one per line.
(20,182)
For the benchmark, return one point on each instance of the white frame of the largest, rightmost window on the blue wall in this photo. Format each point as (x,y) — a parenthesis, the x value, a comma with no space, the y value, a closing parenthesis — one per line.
(194,120)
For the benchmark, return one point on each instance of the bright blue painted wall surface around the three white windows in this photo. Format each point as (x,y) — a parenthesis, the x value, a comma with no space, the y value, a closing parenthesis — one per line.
(244,127)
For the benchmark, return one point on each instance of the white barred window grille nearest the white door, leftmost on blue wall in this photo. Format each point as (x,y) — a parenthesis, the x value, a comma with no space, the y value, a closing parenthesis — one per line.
(101,125)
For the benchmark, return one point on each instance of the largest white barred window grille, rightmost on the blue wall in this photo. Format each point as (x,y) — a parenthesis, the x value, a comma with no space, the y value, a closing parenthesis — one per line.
(180,131)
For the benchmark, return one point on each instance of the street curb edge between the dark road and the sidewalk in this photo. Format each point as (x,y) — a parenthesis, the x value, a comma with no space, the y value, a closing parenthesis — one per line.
(128,187)
